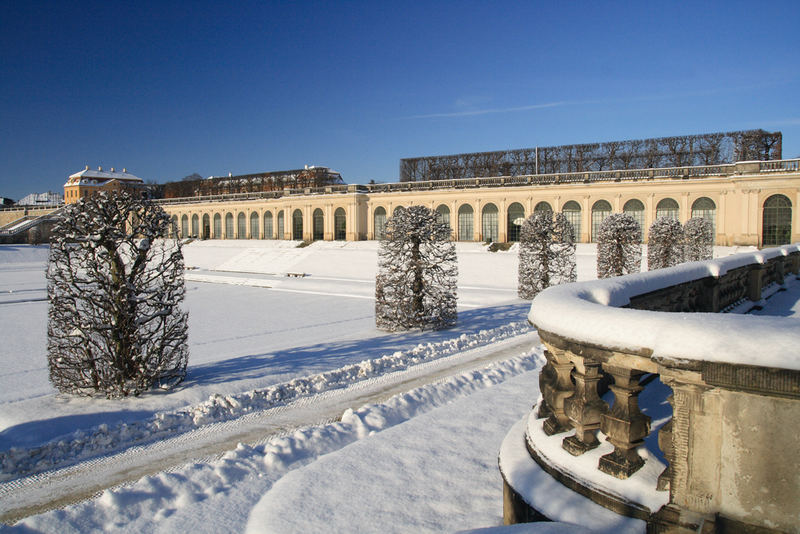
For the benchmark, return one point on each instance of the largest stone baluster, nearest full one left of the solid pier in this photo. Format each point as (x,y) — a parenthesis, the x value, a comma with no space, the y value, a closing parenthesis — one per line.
(625,425)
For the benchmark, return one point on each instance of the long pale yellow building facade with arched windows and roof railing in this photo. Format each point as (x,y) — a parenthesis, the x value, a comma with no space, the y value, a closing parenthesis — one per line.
(749,203)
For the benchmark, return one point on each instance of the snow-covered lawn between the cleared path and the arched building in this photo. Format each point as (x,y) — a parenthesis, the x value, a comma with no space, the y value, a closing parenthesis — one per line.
(251,330)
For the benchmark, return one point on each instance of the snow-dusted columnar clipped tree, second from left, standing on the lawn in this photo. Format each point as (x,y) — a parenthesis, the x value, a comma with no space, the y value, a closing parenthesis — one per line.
(417,273)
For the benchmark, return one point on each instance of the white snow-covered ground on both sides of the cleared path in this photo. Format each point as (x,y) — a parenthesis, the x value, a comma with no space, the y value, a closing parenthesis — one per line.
(253,328)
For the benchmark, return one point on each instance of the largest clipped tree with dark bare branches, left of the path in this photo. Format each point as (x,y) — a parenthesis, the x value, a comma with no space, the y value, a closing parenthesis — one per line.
(115,286)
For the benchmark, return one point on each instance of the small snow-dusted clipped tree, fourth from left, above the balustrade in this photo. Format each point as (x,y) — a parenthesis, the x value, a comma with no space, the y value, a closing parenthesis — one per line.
(619,246)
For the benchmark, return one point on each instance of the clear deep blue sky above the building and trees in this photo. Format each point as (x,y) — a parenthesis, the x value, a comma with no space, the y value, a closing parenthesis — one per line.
(167,89)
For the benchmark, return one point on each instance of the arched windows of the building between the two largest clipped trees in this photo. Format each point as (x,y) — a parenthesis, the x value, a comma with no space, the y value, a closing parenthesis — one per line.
(268,226)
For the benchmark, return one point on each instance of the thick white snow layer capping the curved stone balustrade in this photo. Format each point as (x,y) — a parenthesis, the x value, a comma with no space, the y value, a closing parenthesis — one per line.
(592,312)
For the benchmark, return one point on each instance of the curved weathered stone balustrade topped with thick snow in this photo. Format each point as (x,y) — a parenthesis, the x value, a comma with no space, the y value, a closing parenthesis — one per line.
(731,451)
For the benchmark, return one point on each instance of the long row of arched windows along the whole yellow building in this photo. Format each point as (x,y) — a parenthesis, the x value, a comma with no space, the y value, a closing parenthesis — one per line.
(488,222)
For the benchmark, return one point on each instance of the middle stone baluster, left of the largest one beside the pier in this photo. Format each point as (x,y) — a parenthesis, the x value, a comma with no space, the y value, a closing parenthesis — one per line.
(584,407)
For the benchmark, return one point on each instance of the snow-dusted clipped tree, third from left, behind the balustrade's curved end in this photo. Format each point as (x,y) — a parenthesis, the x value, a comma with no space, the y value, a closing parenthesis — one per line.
(546,253)
